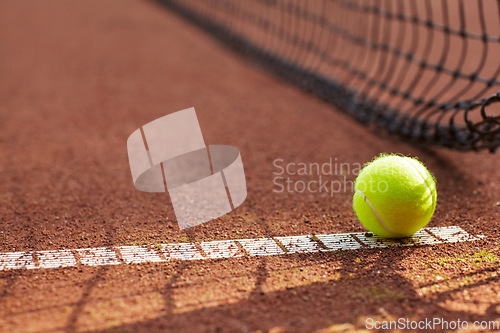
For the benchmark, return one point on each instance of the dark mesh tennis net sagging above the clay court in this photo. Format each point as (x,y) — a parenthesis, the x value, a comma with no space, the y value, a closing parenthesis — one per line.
(425,70)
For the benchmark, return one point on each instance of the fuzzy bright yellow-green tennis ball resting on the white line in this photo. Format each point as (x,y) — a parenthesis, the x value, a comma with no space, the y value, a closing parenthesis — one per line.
(395,196)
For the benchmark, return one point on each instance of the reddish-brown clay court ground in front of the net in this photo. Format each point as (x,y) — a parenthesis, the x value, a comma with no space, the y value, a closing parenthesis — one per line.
(76,78)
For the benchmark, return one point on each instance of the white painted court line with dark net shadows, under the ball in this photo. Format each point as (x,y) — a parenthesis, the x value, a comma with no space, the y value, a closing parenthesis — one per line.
(224,249)
